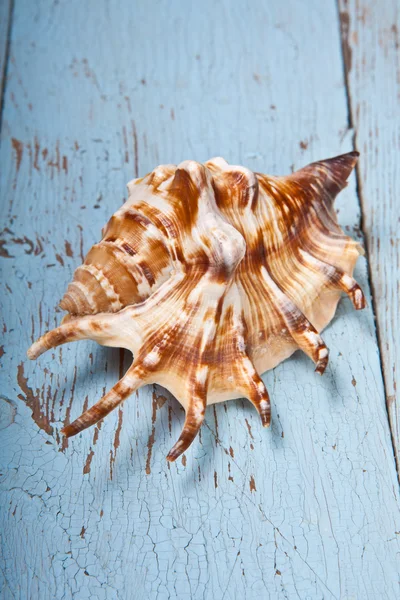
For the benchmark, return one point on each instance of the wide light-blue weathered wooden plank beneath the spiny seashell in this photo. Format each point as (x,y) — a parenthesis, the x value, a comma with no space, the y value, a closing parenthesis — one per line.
(309,509)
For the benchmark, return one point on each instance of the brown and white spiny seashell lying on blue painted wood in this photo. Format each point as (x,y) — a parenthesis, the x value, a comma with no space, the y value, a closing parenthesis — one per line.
(212,274)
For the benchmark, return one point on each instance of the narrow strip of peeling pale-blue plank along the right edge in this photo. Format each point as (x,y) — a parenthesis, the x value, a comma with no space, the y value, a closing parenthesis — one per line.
(370,33)
